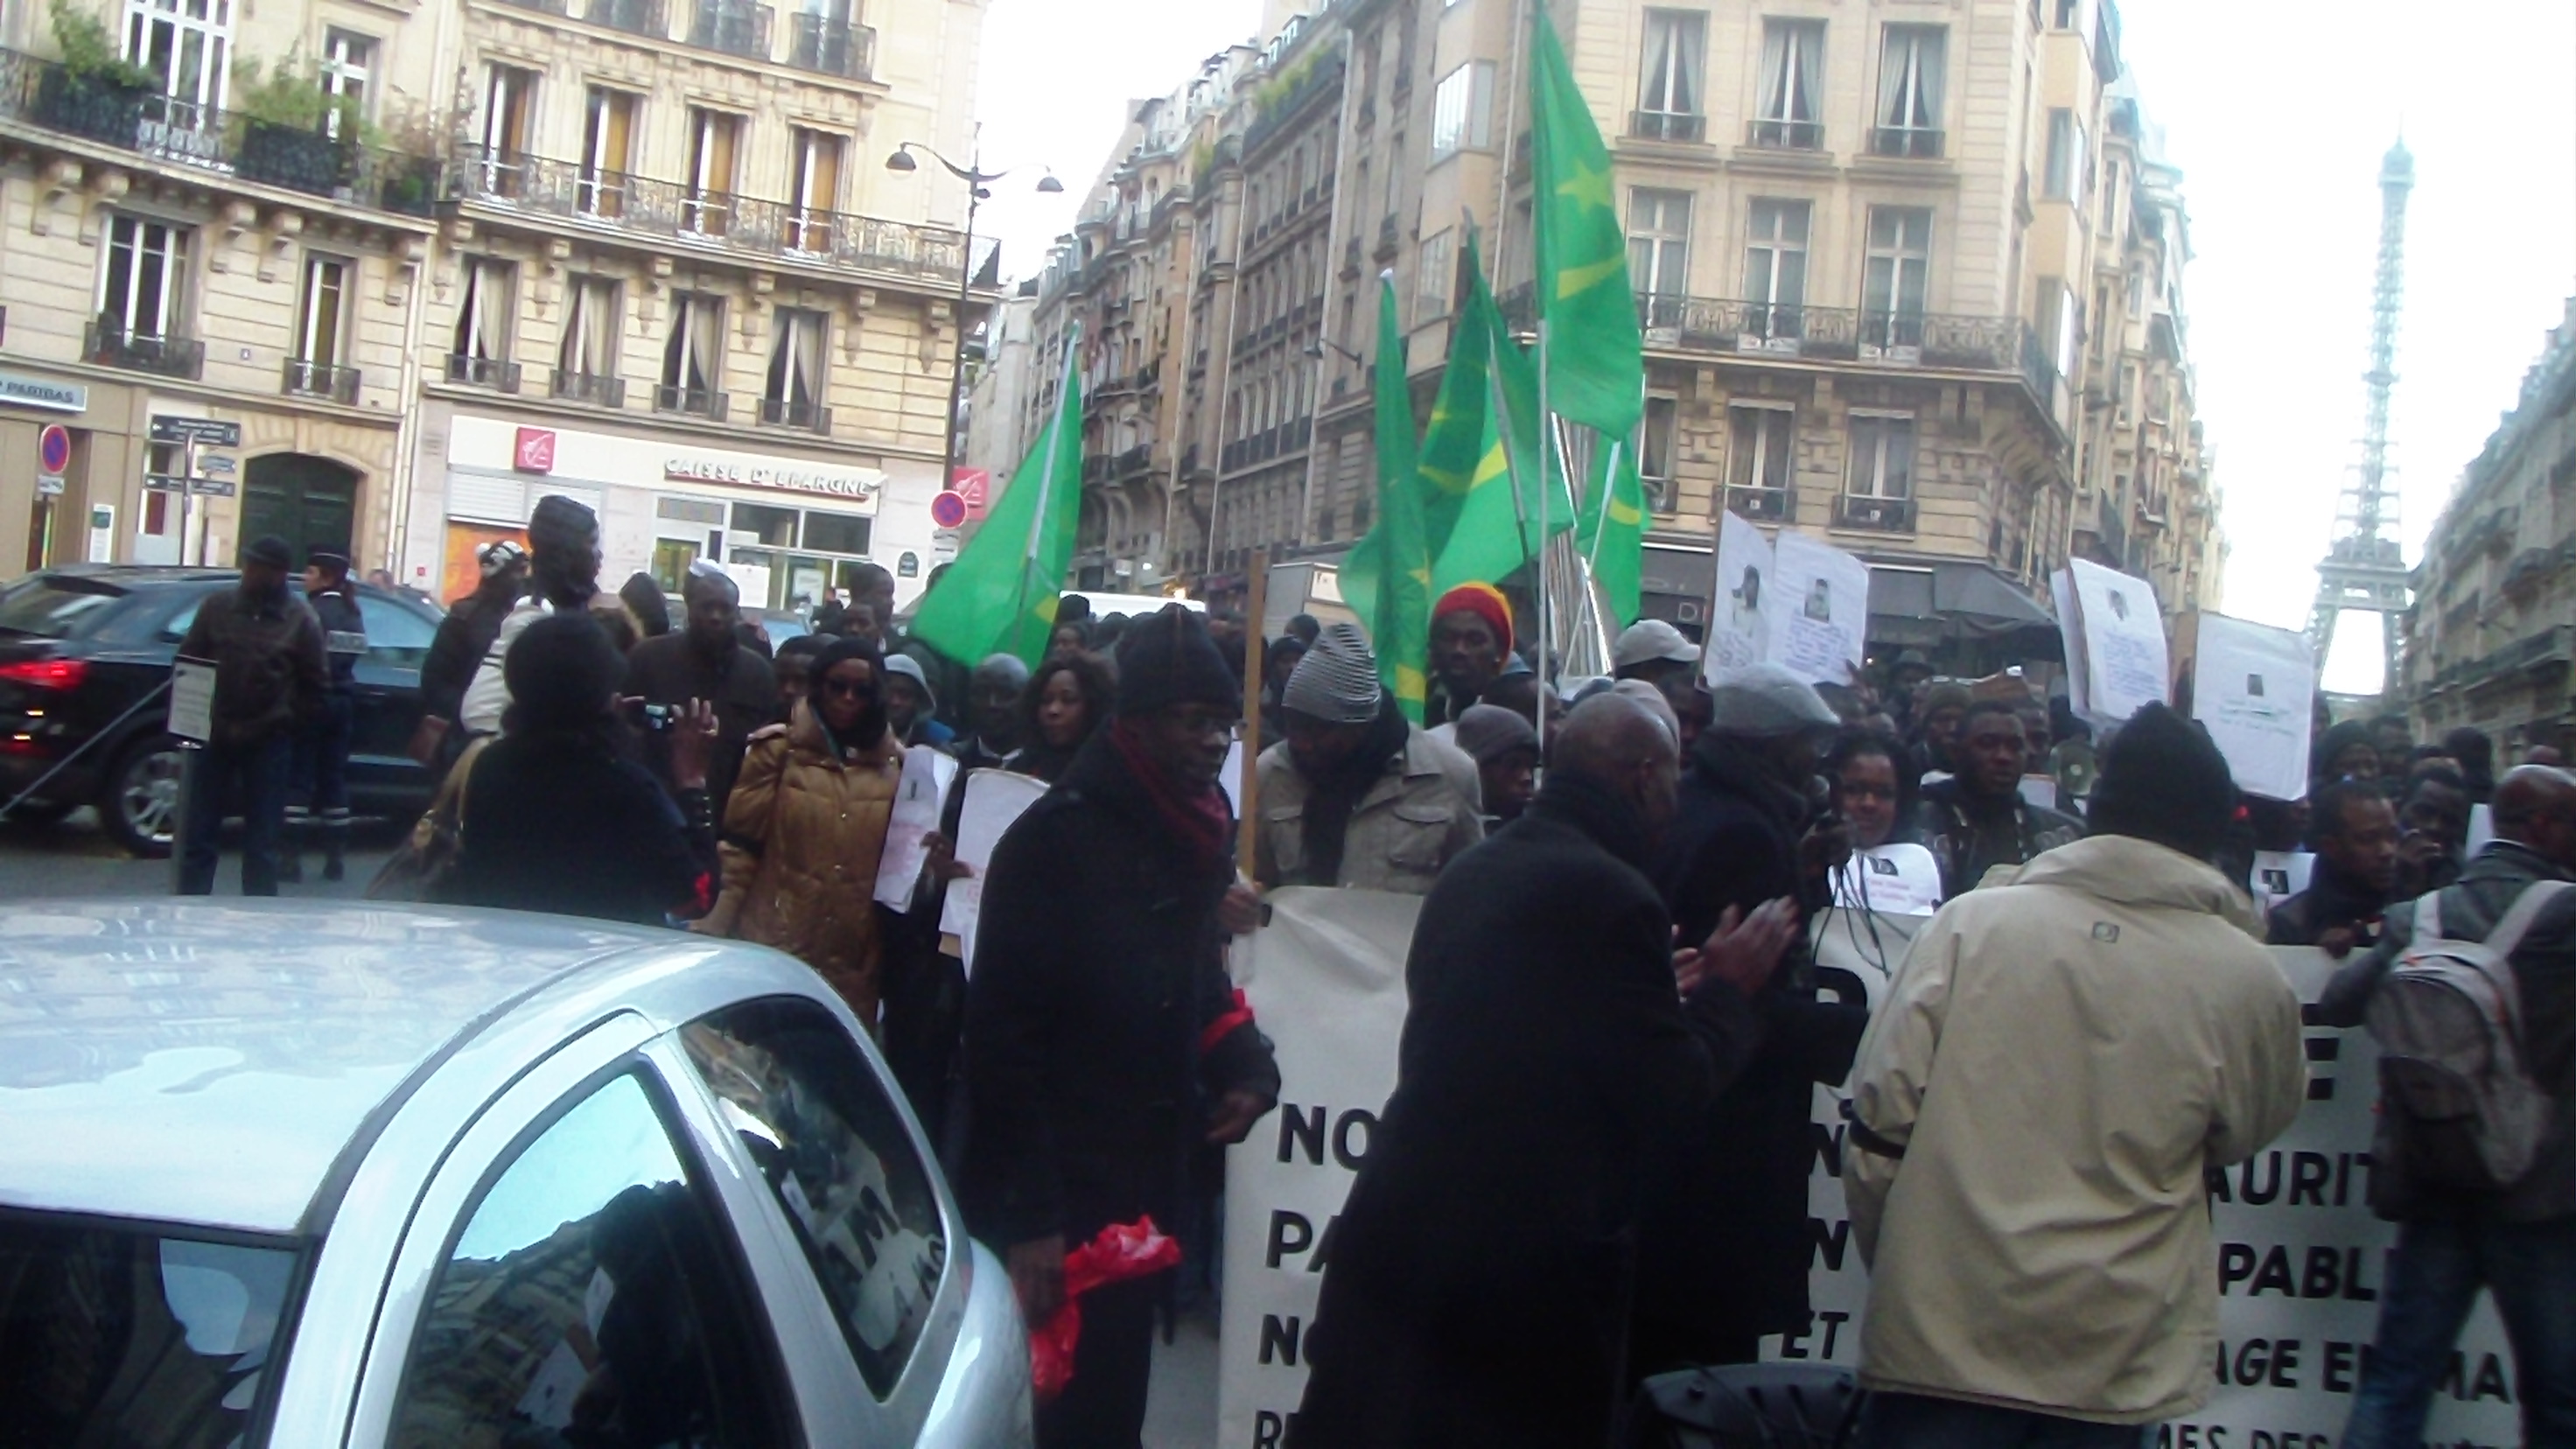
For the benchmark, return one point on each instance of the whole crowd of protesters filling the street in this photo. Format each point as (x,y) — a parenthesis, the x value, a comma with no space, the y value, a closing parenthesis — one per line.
(1601,1143)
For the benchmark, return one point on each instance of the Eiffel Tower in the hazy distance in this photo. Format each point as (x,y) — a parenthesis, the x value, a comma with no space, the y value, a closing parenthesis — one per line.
(2363,569)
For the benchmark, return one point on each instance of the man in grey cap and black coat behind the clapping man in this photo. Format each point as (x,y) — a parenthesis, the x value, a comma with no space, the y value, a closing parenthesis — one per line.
(1730,1239)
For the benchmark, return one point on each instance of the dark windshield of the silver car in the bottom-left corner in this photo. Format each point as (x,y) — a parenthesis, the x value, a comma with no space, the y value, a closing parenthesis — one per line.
(138,1334)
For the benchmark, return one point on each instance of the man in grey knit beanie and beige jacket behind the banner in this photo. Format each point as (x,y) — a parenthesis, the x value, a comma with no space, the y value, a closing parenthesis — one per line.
(1356,795)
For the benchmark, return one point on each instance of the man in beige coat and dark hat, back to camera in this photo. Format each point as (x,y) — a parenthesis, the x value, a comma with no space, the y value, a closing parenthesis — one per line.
(2034,1110)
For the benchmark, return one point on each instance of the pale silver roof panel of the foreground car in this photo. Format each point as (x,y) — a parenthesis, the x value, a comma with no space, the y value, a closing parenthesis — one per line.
(197,1061)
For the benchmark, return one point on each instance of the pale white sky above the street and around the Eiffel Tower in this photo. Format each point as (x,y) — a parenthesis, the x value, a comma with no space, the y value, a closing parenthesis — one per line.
(2278,117)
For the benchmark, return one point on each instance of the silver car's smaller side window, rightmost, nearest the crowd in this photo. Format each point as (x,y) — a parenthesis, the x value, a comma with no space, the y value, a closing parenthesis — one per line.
(836,1151)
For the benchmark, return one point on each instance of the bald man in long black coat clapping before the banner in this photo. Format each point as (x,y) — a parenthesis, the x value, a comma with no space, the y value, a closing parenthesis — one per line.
(1555,1048)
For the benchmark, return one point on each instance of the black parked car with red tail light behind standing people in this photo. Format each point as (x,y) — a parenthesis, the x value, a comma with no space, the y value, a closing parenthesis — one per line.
(84,648)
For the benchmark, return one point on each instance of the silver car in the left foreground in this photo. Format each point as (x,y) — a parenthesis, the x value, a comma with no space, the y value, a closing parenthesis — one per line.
(298,1174)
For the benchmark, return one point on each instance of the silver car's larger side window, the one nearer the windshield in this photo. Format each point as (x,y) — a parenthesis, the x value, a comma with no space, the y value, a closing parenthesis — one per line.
(591,1298)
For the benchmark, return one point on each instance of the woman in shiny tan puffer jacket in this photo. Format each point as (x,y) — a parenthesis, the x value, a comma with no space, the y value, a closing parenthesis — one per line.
(808,824)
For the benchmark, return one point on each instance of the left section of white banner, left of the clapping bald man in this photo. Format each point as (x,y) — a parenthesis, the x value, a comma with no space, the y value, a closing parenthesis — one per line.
(1325,981)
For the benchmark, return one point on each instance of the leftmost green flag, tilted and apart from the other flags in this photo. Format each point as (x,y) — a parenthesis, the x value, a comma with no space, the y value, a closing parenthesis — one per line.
(1001,594)
